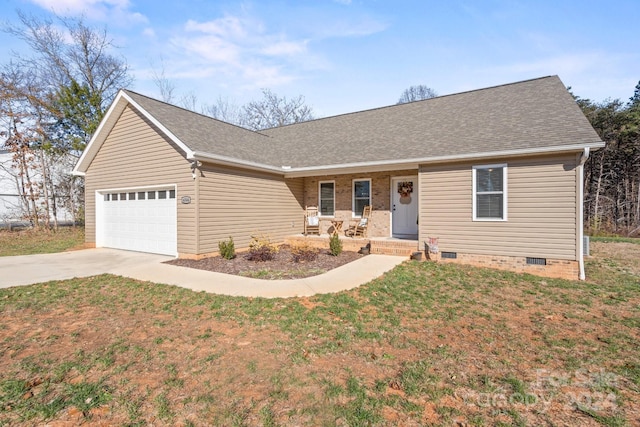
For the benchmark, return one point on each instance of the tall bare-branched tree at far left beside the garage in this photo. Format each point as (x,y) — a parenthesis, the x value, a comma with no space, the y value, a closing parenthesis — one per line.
(59,88)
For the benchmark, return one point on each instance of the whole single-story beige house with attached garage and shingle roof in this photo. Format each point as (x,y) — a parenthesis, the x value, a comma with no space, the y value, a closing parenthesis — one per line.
(496,174)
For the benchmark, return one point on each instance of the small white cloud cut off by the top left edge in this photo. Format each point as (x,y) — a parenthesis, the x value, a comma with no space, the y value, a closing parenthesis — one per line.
(99,10)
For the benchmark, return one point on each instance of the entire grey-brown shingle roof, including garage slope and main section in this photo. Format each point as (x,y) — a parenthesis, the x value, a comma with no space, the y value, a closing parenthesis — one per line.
(529,115)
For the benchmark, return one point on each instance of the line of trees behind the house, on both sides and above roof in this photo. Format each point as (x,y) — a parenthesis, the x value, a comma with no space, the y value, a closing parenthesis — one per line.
(53,97)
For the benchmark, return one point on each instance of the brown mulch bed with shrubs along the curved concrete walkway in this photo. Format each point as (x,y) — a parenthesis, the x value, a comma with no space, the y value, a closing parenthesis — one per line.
(281,267)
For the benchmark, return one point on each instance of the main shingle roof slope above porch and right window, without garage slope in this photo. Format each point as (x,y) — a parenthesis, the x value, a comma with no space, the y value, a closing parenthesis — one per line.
(532,114)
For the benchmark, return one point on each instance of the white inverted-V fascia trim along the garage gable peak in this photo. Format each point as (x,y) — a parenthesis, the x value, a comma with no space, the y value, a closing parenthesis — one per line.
(117,107)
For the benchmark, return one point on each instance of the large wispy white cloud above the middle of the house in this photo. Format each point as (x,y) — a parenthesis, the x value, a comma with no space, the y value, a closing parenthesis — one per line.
(241,50)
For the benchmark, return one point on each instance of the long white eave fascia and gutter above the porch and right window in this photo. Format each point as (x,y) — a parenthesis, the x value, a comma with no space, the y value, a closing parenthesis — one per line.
(413,163)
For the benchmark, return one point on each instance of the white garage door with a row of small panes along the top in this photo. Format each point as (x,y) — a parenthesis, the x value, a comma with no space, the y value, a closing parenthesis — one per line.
(143,220)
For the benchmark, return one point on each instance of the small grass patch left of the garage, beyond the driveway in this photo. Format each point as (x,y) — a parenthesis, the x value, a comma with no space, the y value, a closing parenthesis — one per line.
(29,242)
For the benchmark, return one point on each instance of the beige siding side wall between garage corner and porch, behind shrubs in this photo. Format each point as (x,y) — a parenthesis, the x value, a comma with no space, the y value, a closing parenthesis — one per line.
(240,203)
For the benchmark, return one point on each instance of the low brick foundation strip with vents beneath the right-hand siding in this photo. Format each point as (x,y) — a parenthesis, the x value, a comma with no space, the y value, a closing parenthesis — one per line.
(563,269)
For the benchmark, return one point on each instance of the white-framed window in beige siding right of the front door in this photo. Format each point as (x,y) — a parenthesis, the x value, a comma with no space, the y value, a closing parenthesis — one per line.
(490,193)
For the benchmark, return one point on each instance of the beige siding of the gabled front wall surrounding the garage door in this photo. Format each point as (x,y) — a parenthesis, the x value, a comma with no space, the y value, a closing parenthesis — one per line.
(136,154)
